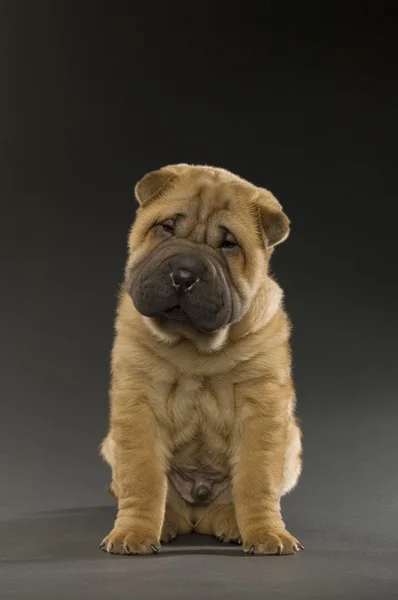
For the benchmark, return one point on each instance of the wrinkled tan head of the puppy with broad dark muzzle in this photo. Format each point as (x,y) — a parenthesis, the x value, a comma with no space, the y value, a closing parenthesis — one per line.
(199,247)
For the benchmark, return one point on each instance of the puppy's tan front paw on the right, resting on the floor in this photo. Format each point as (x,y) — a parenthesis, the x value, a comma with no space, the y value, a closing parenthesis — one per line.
(262,541)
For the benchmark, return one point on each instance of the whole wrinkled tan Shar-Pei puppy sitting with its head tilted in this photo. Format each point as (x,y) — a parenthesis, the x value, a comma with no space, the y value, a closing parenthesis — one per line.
(203,435)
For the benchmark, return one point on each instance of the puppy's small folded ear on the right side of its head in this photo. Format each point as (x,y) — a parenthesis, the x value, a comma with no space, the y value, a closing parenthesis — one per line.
(275,223)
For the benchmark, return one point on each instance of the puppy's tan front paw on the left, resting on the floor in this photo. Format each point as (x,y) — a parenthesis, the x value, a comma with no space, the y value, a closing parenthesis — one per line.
(137,540)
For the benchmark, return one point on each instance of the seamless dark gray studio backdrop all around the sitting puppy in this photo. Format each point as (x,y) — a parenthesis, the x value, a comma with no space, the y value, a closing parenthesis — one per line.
(299,97)
